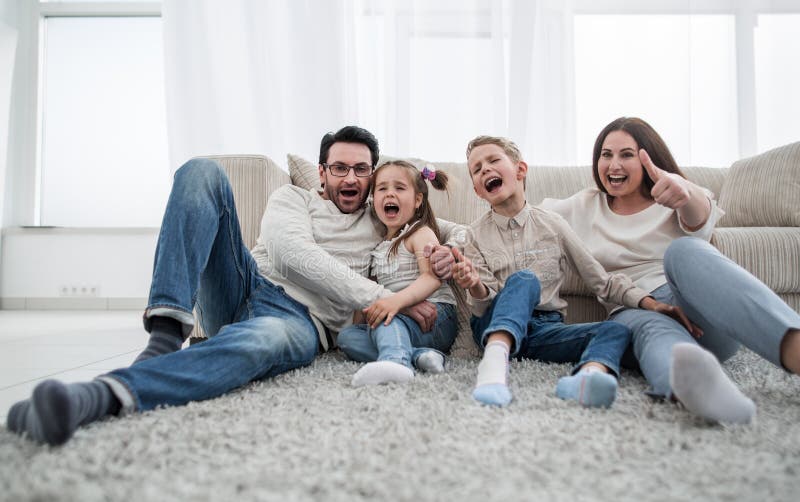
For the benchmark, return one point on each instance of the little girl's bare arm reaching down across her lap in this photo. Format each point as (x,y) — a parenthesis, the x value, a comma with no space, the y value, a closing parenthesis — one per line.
(417,291)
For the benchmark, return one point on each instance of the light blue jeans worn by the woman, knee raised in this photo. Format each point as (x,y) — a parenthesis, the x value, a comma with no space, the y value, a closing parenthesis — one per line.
(731,307)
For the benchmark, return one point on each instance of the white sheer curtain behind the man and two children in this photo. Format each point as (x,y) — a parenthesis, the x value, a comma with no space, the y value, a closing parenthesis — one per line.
(272,76)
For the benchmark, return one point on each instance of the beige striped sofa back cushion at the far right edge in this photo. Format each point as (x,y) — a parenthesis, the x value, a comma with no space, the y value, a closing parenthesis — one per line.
(763,190)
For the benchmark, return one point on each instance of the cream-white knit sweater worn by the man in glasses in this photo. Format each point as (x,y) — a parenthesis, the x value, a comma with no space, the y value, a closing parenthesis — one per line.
(319,255)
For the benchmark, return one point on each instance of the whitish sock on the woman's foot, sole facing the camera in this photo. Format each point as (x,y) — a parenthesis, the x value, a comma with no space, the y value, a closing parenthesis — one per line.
(698,381)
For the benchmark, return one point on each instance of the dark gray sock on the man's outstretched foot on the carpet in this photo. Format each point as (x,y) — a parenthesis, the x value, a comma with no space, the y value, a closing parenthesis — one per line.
(55,410)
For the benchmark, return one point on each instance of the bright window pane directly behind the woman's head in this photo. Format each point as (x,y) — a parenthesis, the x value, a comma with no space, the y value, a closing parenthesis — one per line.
(673,70)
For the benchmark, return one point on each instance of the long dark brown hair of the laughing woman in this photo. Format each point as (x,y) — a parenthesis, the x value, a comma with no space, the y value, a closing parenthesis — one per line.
(646,137)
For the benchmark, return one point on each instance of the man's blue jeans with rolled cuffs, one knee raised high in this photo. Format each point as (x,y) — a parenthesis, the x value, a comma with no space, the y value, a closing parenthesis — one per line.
(255,329)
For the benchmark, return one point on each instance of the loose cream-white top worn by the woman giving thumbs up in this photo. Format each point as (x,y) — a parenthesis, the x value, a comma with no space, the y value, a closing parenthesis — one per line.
(631,244)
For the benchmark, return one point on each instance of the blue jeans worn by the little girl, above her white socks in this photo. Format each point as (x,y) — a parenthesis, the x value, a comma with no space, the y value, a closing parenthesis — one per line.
(402,341)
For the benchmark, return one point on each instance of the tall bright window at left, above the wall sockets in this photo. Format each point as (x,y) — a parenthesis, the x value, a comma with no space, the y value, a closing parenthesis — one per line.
(103,140)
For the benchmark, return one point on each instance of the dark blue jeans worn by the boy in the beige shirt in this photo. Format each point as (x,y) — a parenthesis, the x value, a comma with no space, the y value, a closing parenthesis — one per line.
(543,335)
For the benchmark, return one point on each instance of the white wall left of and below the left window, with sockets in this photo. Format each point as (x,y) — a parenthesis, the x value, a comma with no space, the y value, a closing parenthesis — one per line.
(37,263)
